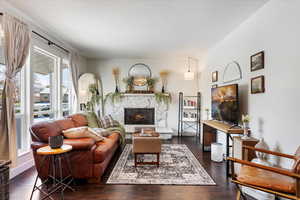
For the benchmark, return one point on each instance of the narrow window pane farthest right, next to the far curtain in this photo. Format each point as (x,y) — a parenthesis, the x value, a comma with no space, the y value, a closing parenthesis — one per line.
(66,88)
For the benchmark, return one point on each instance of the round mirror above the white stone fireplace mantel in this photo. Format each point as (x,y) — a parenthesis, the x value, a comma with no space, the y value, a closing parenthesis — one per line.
(140,72)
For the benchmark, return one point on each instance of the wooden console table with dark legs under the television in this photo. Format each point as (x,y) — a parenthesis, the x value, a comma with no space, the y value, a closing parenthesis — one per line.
(209,133)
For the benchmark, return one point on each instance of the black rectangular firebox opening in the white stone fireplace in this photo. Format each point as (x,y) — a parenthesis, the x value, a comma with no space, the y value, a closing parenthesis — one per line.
(143,116)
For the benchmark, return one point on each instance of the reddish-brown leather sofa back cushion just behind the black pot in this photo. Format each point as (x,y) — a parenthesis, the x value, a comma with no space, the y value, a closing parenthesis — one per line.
(43,130)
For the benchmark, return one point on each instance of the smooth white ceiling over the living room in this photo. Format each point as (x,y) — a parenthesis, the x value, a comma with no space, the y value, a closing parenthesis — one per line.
(139,28)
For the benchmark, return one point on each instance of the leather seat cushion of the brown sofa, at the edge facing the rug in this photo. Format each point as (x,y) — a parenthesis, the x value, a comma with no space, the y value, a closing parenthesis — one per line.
(105,147)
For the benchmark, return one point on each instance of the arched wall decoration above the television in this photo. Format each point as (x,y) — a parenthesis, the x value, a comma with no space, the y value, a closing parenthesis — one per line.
(232,72)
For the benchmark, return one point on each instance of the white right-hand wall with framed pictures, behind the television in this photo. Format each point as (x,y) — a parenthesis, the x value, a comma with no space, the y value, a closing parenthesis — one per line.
(275,114)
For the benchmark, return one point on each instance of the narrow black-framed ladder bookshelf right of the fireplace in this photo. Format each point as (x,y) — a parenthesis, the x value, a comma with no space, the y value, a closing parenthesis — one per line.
(189,114)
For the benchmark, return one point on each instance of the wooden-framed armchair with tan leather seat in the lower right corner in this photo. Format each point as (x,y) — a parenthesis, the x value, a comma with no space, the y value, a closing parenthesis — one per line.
(278,181)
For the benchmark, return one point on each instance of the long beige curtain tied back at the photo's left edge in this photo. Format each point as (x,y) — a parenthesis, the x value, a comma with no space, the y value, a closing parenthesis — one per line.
(16,48)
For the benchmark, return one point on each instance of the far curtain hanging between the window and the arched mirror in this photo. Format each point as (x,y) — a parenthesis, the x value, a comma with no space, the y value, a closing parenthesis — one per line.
(74,65)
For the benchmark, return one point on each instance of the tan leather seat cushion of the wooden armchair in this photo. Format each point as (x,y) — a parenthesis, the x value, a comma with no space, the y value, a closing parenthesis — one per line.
(266,179)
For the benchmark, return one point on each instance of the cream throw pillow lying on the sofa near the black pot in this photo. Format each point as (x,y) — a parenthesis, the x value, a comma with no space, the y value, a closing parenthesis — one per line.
(81,132)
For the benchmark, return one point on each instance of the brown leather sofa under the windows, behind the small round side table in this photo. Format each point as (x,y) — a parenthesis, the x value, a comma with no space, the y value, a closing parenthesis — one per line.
(89,159)
